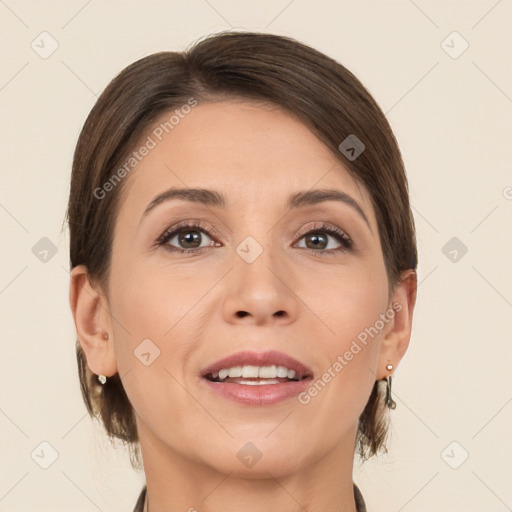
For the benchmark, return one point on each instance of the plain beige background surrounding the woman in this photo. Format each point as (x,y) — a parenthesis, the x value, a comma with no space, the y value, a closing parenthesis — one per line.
(453,120)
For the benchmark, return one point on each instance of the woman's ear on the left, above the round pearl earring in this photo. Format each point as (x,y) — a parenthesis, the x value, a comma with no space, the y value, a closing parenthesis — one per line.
(93,323)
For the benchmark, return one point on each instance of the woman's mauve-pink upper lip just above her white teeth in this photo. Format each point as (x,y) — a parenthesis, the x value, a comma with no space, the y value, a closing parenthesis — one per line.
(268,358)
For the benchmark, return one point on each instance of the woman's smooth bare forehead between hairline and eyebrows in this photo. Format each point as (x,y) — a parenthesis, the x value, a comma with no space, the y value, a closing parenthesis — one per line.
(252,151)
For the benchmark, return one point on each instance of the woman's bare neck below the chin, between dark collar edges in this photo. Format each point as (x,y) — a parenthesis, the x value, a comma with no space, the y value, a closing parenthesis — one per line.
(177,483)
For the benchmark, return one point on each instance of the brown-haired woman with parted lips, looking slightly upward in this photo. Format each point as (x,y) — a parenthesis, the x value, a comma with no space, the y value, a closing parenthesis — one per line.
(243,278)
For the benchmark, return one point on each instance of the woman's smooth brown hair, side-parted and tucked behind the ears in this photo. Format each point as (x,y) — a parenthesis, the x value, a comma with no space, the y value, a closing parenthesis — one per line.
(325,95)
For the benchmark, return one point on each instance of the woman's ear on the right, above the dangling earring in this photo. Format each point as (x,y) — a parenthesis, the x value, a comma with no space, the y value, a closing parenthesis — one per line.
(397,337)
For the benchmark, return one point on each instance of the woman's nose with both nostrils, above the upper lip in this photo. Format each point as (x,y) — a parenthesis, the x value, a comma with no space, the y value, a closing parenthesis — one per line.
(260,292)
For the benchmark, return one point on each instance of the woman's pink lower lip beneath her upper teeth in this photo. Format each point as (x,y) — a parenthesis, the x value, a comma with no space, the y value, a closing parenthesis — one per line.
(264,394)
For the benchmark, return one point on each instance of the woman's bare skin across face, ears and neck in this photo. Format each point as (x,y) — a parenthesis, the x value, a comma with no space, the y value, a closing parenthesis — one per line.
(187,304)
